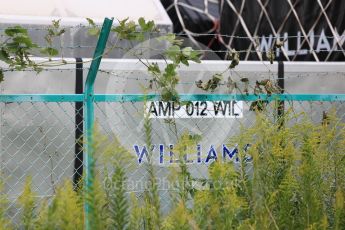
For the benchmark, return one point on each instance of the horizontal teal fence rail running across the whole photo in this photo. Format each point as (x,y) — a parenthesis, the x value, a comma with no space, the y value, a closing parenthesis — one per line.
(155,97)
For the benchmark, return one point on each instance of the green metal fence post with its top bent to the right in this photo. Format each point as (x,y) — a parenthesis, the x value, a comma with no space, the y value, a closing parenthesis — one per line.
(89,118)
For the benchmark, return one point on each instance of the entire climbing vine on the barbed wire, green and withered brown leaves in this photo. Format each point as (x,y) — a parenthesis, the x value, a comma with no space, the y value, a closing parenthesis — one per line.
(18,47)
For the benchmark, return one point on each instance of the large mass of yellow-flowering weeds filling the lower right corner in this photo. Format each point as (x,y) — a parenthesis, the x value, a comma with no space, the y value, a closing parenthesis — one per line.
(296,182)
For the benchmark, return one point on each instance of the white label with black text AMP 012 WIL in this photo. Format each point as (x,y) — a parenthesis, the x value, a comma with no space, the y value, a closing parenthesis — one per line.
(195,109)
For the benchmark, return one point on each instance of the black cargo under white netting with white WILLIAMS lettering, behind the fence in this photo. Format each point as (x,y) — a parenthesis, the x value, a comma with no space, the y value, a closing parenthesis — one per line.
(311,29)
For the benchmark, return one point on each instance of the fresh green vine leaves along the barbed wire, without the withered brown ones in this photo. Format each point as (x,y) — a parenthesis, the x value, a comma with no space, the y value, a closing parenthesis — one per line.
(16,51)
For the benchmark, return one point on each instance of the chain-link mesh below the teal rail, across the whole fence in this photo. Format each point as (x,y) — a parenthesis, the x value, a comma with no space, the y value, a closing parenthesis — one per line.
(38,139)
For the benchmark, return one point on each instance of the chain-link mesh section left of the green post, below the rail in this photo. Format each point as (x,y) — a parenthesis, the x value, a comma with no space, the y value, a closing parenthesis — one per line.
(37,140)
